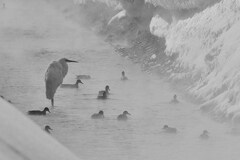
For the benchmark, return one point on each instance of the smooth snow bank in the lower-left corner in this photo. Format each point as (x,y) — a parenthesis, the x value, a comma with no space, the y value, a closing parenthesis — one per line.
(20,138)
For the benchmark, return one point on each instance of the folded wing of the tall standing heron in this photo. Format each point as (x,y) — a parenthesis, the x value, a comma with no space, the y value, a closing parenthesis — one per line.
(53,78)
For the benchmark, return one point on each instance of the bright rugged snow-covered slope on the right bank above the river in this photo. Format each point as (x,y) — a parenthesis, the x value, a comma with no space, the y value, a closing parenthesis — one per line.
(208,47)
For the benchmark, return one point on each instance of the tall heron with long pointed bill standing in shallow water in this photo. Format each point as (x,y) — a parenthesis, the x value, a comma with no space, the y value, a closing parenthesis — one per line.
(55,73)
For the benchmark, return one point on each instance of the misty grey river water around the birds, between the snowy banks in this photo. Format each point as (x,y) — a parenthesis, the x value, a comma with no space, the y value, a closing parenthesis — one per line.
(32,37)
